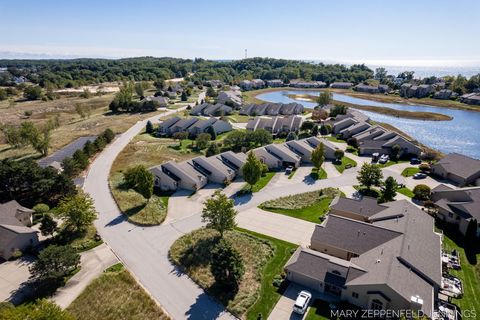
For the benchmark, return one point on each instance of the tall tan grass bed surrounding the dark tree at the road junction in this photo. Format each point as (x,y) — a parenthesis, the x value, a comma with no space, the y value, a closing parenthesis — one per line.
(192,252)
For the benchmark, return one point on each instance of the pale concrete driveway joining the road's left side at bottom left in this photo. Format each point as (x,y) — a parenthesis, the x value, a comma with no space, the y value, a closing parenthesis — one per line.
(93,263)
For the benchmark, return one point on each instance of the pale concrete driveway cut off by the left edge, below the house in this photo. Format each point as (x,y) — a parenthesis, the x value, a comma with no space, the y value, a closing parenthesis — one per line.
(13,274)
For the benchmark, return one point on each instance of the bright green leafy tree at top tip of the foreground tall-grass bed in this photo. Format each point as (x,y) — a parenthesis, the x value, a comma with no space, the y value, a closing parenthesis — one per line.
(219,213)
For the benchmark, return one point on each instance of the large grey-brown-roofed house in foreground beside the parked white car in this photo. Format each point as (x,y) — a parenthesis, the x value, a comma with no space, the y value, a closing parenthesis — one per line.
(392,262)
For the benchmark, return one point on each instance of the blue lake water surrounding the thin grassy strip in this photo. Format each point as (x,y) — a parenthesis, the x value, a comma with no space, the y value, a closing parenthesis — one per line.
(462,134)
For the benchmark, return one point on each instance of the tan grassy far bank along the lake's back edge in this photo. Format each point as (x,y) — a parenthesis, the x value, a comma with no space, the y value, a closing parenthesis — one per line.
(250,97)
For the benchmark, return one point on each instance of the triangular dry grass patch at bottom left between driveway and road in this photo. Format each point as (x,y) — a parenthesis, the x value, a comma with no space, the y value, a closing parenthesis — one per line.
(115,295)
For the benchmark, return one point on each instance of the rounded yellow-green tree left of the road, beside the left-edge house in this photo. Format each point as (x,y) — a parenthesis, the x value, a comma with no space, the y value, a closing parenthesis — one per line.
(78,211)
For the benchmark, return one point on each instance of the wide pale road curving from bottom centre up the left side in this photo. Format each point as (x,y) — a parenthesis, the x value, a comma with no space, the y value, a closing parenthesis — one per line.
(144,250)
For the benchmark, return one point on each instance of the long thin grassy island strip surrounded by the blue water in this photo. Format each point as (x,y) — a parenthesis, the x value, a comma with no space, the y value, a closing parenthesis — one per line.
(415,115)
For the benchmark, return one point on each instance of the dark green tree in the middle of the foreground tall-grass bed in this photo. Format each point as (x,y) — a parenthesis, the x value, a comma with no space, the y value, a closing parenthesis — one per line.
(227,266)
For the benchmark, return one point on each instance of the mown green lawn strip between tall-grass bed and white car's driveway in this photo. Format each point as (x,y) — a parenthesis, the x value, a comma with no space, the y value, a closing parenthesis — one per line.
(269,295)
